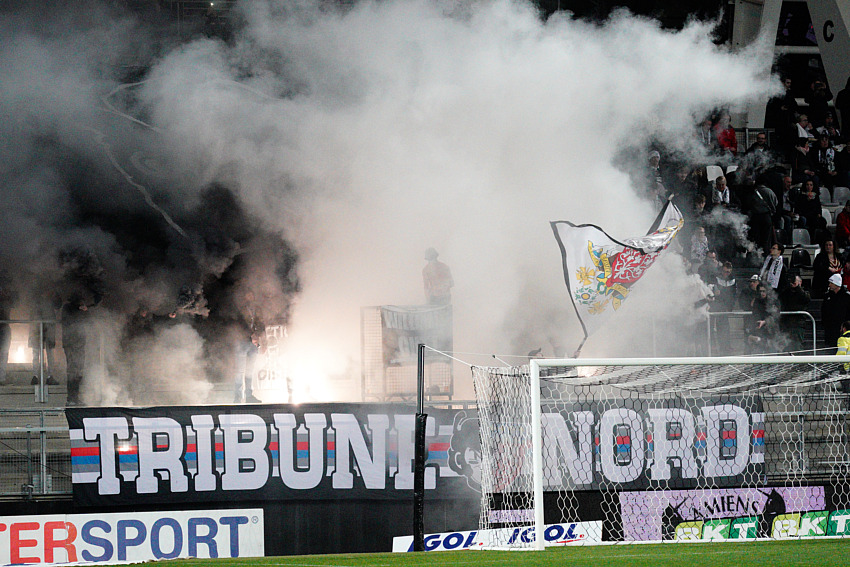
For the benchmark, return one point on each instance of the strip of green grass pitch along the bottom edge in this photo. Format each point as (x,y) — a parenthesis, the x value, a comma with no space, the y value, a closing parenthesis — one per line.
(721,554)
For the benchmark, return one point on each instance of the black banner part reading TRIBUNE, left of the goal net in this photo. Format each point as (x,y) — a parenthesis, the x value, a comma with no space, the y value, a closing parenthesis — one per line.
(156,455)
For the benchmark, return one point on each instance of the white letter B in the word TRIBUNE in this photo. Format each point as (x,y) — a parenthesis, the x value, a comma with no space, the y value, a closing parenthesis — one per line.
(246,449)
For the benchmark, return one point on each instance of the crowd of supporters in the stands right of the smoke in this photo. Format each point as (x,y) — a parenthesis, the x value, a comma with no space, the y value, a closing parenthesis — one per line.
(756,214)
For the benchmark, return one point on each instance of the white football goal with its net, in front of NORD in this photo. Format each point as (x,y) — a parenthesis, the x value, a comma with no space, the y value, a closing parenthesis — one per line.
(587,451)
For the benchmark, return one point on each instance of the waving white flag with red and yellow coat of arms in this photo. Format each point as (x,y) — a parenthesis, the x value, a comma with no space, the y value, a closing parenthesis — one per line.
(600,271)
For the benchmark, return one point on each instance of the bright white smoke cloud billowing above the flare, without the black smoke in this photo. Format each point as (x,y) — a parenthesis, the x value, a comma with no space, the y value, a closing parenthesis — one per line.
(370,133)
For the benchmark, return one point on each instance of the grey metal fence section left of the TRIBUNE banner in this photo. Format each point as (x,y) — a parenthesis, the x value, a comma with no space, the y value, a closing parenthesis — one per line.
(35,453)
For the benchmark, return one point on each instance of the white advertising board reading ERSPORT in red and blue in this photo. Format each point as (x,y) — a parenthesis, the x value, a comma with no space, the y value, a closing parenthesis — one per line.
(130,538)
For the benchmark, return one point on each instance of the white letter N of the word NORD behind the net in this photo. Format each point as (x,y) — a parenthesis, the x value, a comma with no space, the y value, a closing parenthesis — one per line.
(556,434)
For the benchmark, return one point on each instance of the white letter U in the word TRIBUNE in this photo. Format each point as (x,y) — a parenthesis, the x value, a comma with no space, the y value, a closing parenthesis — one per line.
(315,423)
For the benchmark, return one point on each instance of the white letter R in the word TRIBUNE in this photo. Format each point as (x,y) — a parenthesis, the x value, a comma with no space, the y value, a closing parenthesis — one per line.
(151,460)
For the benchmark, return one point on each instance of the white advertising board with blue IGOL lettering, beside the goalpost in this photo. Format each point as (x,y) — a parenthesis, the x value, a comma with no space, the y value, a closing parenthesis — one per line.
(555,534)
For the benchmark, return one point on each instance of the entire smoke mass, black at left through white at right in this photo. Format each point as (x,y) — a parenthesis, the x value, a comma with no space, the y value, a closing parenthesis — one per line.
(312,156)
